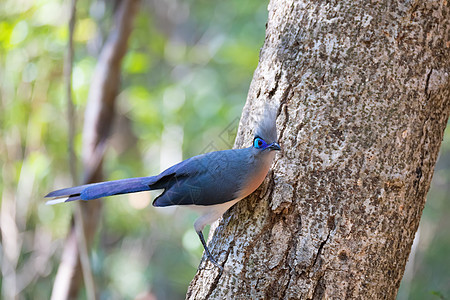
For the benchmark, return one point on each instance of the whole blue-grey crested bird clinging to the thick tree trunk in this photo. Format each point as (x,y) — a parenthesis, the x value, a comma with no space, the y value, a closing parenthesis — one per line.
(209,183)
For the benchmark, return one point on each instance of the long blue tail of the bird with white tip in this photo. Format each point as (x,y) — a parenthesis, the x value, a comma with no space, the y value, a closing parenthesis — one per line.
(101,189)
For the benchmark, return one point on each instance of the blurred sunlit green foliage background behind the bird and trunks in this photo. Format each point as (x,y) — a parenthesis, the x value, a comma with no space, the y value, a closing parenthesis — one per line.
(184,83)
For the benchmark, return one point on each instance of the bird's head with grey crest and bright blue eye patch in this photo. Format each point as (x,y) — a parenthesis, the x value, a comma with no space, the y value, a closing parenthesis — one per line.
(266,134)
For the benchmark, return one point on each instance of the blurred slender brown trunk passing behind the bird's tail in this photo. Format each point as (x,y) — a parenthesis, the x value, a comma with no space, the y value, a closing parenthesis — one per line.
(97,126)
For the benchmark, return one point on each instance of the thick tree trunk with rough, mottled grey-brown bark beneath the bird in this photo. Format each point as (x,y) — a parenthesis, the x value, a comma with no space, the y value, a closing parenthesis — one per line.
(364,94)
